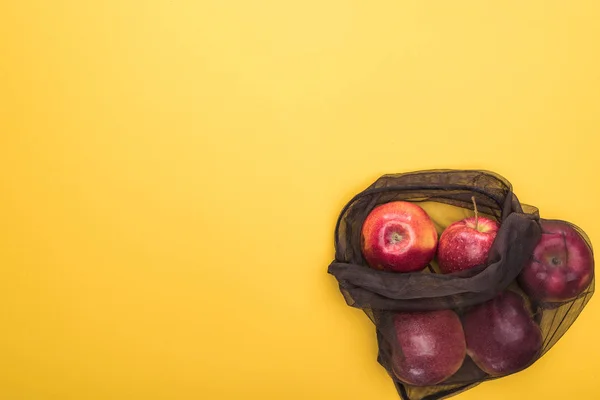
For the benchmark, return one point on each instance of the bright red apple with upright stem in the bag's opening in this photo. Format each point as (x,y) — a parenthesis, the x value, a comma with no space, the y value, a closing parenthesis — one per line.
(465,244)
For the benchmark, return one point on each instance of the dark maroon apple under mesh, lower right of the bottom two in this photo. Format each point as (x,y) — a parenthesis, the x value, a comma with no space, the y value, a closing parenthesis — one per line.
(502,337)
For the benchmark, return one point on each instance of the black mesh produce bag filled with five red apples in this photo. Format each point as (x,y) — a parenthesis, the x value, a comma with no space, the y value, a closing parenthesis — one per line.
(458,296)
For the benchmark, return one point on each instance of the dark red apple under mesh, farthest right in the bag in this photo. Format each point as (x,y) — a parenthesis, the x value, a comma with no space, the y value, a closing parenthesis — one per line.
(562,265)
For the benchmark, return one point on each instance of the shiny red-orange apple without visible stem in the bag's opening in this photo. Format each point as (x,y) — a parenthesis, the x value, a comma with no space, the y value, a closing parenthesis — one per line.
(398,236)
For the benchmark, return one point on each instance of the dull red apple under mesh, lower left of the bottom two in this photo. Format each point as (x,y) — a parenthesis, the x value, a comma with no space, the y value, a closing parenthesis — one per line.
(430,346)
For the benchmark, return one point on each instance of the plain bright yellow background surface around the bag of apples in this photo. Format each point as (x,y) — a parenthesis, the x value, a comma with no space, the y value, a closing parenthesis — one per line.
(171,172)
